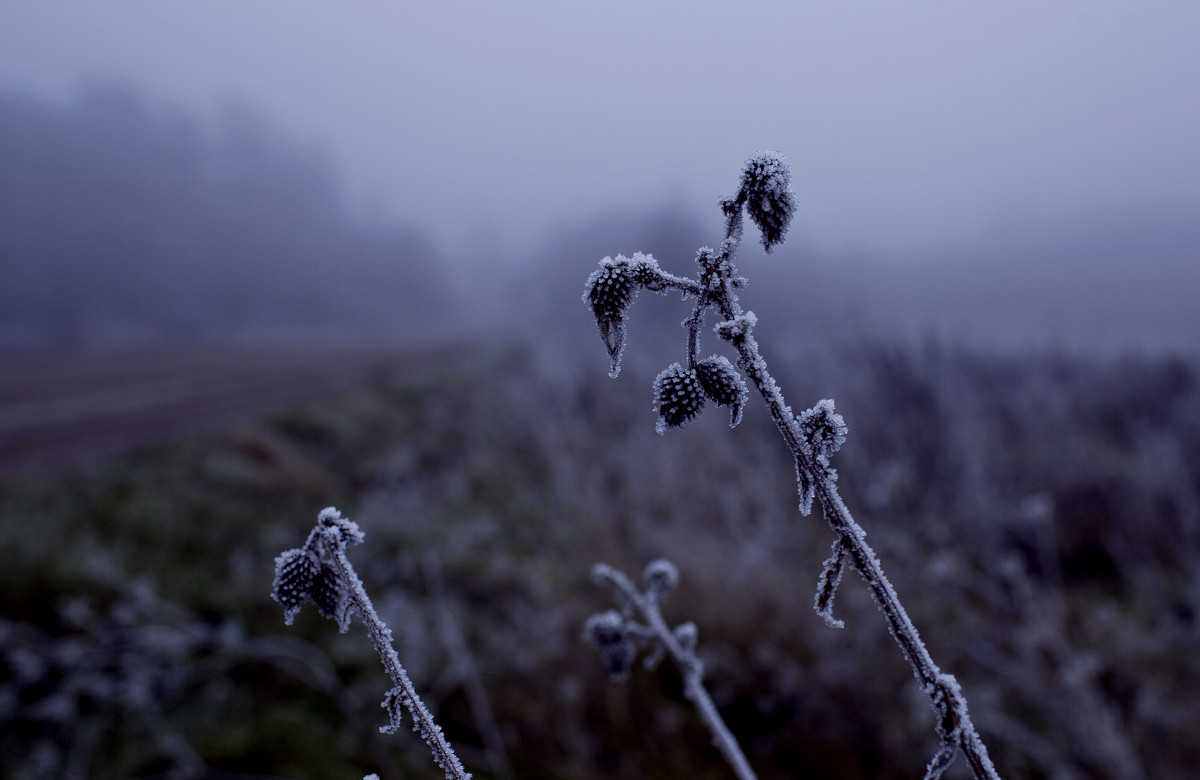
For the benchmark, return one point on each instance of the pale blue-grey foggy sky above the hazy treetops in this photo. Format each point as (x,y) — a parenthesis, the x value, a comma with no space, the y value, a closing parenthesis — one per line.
(905,123)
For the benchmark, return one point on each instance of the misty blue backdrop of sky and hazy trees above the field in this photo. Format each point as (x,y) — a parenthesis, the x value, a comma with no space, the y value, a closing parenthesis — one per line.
(173,176)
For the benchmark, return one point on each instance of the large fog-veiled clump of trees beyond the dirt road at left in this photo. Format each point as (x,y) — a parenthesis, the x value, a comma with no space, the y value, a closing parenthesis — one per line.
(129,221)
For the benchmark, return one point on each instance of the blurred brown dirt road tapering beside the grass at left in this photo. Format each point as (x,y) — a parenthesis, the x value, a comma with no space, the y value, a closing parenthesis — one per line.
(55,411)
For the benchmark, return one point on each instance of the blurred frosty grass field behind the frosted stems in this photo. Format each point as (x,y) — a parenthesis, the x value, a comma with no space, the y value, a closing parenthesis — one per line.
(1039,515)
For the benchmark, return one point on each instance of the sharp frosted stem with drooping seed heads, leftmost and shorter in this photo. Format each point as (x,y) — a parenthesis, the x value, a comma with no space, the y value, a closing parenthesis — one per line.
(321,573)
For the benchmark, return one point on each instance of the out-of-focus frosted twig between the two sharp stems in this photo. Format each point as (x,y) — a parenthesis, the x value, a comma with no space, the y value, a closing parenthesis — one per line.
(616,635)
